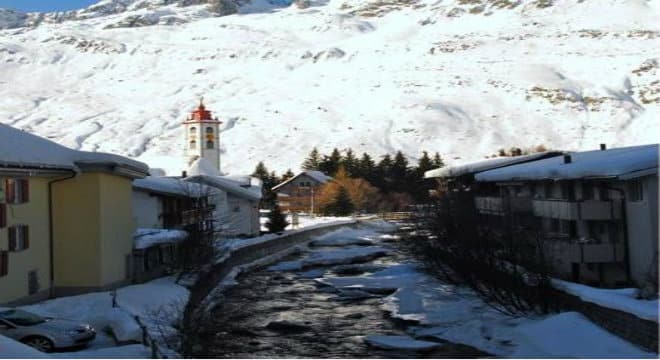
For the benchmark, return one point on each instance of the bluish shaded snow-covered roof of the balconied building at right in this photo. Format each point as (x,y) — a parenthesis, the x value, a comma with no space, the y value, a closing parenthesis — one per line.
(625,162)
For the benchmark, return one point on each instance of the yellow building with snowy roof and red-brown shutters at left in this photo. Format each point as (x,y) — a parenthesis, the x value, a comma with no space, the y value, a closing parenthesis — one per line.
(66,222)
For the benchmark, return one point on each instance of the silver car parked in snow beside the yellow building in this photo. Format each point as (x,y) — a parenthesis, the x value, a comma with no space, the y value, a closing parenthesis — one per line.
(44,333)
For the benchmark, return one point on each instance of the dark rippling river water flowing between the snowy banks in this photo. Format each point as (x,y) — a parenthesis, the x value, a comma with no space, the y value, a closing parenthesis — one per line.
(291,314)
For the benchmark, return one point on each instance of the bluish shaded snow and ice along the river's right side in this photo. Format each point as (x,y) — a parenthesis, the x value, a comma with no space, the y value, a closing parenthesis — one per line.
(447,312)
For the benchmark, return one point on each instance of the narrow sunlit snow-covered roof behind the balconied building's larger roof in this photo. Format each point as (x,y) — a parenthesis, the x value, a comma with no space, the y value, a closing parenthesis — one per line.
(484,165)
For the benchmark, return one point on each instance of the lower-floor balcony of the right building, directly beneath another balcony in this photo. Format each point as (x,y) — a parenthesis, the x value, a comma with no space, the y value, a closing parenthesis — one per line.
(573,252)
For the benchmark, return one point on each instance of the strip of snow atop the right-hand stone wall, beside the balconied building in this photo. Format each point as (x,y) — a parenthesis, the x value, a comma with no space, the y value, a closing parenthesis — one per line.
(618,299)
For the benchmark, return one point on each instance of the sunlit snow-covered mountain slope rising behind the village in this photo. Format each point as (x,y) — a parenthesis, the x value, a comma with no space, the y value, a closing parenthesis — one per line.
(462,77)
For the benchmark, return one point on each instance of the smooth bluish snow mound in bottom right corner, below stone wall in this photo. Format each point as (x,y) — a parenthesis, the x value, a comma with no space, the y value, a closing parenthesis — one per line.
(572,335)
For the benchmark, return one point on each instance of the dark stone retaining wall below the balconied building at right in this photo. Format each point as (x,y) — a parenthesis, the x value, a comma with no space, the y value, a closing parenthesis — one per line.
(641,332)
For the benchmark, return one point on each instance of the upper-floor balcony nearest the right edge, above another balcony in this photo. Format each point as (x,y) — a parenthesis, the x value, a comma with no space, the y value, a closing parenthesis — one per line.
(577,210)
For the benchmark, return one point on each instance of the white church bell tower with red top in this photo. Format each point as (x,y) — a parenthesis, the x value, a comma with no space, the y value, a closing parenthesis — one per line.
(202,136)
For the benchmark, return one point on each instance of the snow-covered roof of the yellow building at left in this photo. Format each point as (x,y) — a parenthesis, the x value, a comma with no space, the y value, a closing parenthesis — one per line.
(20,149)
